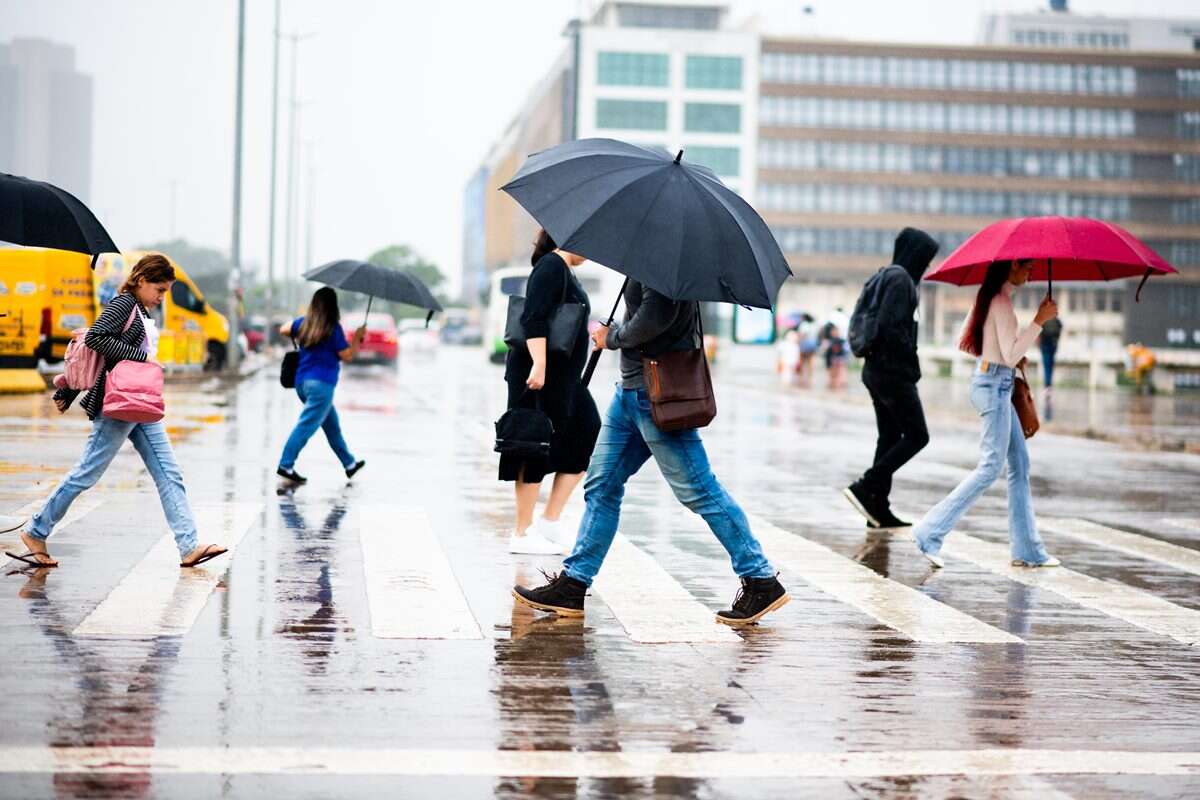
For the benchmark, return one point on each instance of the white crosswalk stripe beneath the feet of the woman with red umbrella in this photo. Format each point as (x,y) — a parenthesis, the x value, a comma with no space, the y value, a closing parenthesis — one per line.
(1118,600)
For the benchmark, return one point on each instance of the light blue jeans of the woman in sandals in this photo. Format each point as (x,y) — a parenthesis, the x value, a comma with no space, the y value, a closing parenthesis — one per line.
(107,437)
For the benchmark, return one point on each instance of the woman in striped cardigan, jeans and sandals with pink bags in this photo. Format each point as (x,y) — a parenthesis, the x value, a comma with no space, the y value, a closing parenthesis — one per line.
(124,332)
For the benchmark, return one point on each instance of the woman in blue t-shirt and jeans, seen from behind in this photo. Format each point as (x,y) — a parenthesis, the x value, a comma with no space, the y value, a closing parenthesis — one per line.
(323,347)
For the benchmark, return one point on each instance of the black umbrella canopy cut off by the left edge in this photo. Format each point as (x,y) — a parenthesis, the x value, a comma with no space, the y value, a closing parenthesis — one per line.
(37,214)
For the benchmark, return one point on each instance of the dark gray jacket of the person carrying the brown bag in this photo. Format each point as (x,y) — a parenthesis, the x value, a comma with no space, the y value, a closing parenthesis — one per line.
(655,324)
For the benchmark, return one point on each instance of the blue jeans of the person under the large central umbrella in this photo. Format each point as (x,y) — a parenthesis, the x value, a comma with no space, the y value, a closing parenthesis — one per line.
(628,440)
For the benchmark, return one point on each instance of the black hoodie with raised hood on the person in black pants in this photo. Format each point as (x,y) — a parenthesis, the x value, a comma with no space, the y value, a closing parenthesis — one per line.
(896,352)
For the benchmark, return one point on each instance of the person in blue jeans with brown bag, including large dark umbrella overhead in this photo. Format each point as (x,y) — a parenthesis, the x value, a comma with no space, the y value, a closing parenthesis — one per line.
(681,237)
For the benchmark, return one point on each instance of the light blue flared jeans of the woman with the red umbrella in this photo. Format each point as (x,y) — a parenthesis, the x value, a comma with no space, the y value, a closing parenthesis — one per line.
(992,394)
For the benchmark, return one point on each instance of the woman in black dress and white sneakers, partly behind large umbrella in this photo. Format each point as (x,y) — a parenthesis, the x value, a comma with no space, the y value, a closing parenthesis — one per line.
(556,380)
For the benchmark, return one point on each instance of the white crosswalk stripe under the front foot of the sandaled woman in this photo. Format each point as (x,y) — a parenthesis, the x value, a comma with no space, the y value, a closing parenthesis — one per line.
(160,599)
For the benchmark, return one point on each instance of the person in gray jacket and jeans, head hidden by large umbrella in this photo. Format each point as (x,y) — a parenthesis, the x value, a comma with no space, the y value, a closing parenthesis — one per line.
(655,324)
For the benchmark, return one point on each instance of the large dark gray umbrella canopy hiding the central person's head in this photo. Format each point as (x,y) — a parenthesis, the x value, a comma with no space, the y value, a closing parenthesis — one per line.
(668,224)
